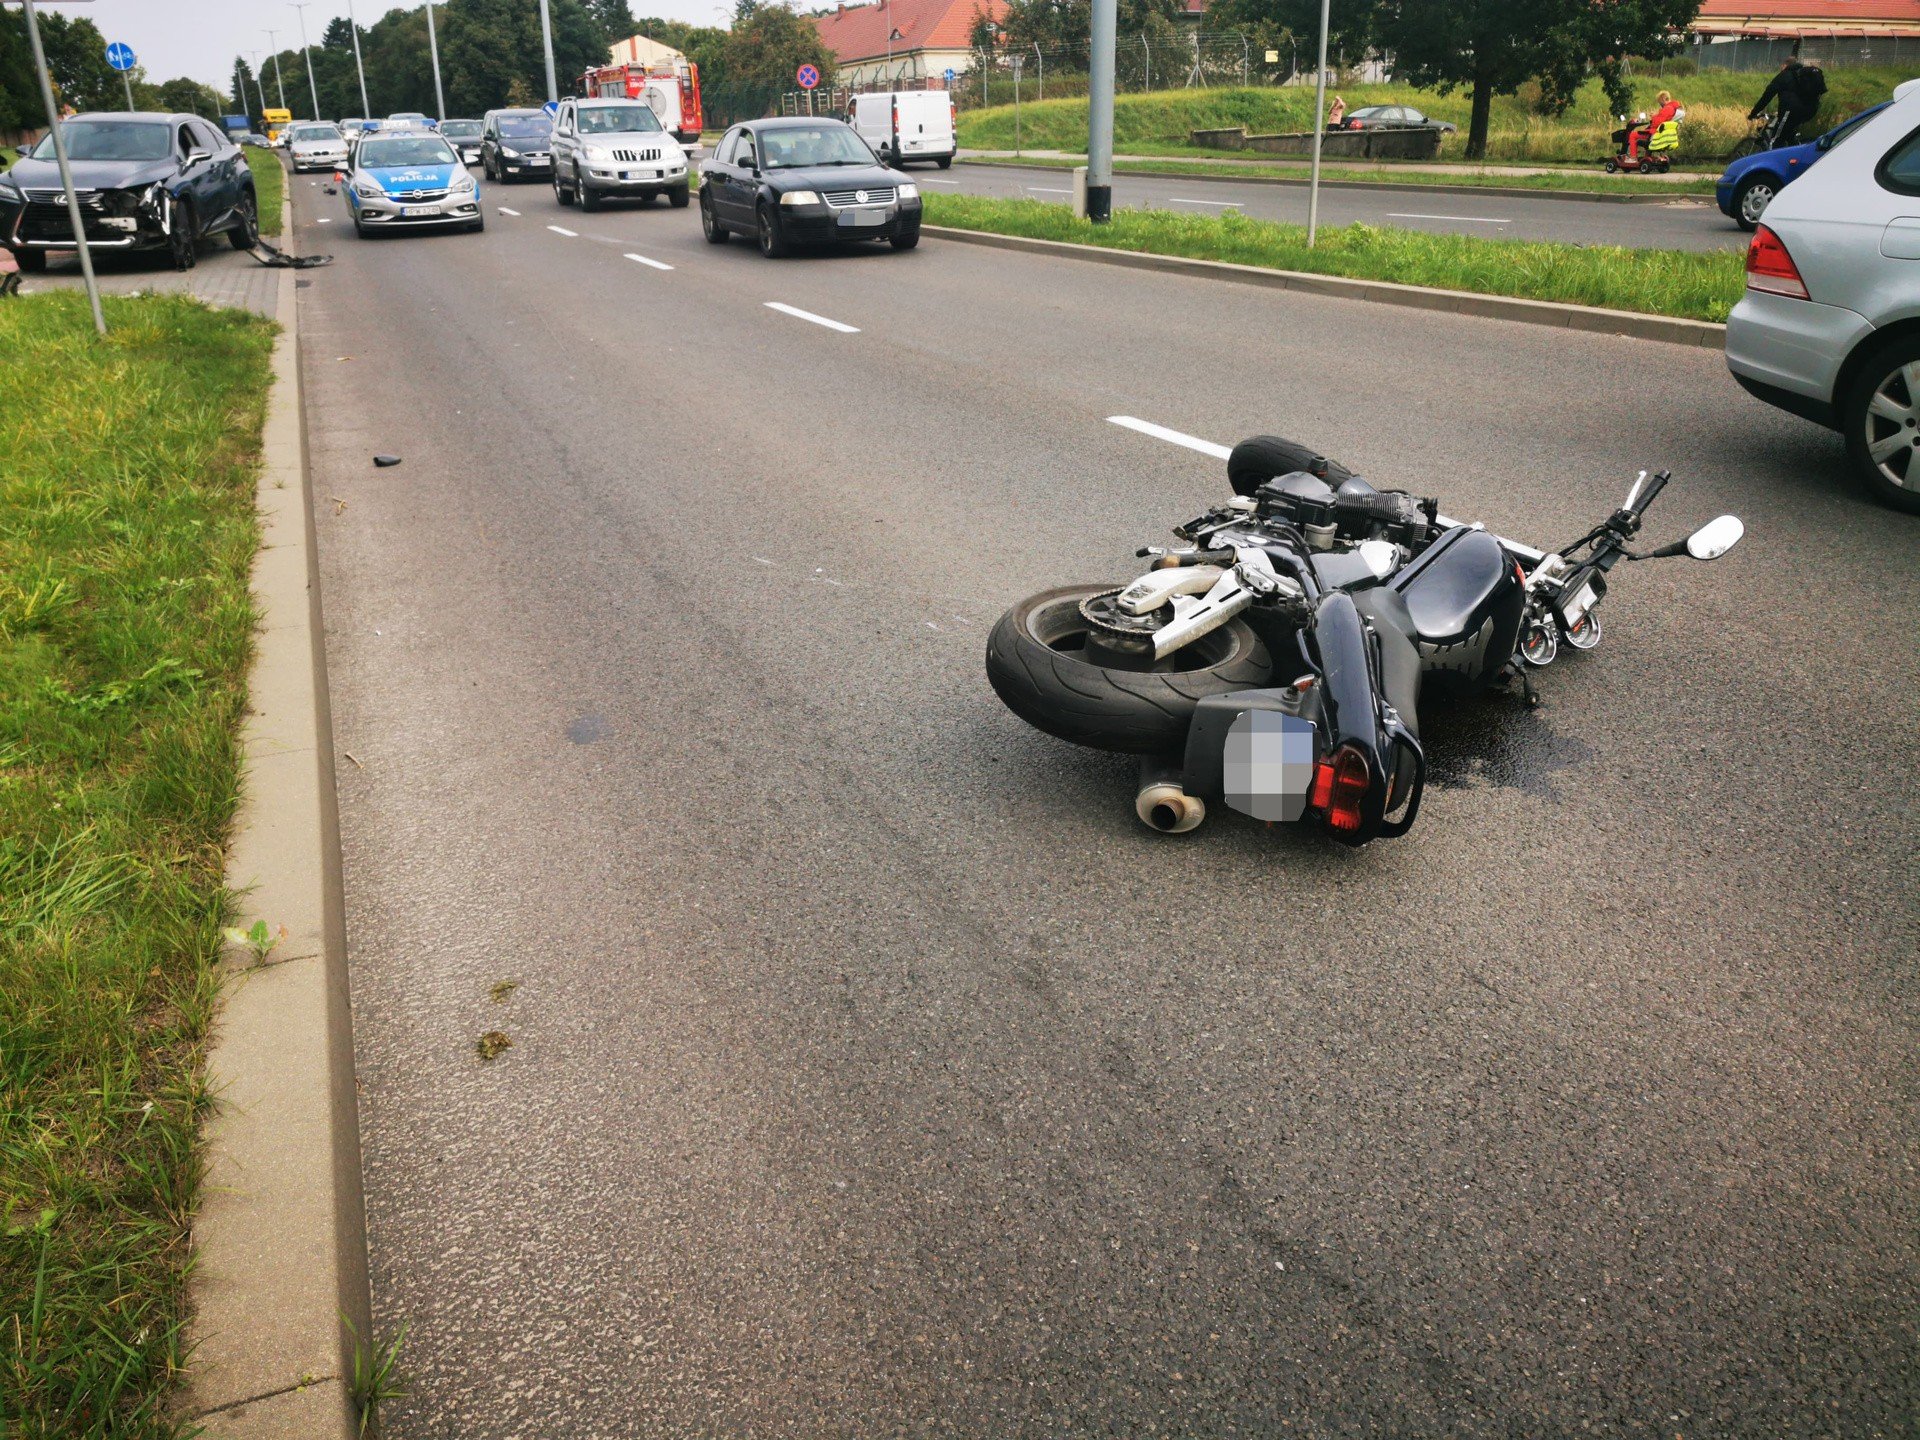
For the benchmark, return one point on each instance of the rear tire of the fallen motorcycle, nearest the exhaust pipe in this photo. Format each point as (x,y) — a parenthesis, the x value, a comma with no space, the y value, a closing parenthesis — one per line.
(1130,711)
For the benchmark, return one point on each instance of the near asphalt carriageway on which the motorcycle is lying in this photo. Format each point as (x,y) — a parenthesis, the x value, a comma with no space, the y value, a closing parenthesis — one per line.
(875,1072)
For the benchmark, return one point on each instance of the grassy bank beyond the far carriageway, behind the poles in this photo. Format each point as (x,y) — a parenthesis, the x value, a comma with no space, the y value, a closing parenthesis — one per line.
(1161,122)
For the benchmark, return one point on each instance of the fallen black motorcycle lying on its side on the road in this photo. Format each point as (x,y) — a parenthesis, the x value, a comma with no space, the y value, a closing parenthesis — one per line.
(1280,656)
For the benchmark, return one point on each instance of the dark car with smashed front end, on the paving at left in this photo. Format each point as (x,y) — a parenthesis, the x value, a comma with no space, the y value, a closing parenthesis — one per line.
(145,181)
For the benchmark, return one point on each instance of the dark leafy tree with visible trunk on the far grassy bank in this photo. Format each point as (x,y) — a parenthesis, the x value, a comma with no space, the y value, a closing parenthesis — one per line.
(1495,47)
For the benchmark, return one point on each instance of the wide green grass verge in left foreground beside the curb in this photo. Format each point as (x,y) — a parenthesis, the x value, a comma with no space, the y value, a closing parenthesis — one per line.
(128,531)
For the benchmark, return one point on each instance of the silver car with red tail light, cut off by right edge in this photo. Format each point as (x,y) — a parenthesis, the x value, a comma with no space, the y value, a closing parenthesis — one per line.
(1831,325)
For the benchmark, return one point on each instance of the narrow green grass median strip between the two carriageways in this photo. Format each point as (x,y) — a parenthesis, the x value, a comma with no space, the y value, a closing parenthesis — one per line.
(1691,285)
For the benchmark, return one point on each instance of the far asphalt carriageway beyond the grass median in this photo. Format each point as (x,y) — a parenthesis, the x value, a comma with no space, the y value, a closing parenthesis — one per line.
(1683,224)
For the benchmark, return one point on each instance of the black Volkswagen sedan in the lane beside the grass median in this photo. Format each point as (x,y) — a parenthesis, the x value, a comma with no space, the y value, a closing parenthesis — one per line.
(805,181)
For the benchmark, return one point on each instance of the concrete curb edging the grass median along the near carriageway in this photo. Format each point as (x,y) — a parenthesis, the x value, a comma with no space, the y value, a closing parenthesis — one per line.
(1456,302)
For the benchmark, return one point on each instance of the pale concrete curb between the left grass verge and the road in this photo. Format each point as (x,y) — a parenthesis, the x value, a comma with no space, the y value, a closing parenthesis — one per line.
(281,1236)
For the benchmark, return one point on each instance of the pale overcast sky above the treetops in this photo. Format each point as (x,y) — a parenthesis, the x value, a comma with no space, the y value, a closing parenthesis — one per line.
(203,37)
